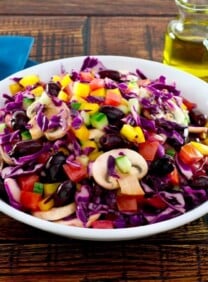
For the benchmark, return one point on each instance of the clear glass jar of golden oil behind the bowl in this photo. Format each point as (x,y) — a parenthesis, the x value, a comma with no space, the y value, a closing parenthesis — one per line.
(186,39)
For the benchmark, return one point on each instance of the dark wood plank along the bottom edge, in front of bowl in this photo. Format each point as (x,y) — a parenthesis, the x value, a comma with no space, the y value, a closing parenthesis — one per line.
(127,261)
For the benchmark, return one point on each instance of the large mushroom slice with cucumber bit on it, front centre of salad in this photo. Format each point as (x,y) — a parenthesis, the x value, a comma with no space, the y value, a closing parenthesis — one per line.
(128,182)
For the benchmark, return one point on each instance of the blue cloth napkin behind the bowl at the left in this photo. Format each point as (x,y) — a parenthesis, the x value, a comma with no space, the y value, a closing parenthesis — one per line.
(14,54)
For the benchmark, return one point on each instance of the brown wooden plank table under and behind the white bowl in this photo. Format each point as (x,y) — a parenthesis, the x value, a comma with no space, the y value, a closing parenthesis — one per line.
(72,28)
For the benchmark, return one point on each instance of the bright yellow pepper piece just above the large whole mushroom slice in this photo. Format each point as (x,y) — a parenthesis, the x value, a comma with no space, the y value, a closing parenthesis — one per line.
(133,133)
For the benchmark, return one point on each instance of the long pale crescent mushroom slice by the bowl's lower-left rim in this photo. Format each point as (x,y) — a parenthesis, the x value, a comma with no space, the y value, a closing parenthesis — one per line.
(56,213)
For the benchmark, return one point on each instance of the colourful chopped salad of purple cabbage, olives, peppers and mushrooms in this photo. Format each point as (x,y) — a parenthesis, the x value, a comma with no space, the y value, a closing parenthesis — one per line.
(102,148)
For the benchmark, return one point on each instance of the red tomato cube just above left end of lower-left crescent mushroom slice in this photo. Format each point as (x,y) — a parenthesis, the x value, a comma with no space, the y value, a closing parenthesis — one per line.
(30,200)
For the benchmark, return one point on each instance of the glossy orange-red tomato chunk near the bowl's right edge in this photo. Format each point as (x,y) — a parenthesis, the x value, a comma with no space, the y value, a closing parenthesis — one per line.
(189,154)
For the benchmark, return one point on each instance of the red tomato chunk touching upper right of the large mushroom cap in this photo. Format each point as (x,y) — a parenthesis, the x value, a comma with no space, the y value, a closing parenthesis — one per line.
(148,149)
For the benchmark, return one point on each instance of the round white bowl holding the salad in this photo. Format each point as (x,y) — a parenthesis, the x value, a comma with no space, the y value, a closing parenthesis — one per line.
(192,88)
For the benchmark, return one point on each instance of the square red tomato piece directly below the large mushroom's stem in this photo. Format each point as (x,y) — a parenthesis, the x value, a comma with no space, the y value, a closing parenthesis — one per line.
(127,203)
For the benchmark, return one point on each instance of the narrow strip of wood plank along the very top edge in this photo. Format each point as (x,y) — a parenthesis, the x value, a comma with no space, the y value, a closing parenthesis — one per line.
(93,7)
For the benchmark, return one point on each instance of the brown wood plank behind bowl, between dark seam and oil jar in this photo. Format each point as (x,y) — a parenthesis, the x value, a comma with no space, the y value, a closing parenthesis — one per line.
(143,39)
